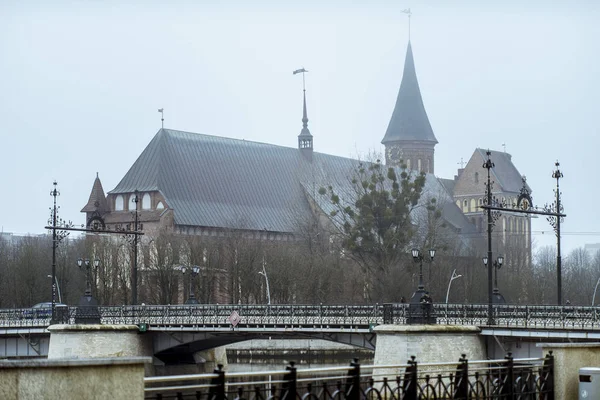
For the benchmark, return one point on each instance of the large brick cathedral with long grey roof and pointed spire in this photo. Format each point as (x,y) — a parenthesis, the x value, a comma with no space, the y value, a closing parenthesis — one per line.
(197,184)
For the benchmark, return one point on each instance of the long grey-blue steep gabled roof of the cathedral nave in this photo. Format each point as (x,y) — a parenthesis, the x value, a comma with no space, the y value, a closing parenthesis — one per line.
(228,183)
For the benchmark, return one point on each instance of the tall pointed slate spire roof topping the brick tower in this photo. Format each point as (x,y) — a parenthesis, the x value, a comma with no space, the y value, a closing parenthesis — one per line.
(409,119)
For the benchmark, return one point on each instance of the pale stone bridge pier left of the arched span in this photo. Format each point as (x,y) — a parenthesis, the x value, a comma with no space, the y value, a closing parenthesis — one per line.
(99,341)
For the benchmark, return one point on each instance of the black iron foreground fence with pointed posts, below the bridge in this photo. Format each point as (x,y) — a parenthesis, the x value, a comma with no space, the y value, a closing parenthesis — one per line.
(508,378)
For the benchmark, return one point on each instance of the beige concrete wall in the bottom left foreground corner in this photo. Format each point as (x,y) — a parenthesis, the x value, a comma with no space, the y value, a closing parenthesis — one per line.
(102,378)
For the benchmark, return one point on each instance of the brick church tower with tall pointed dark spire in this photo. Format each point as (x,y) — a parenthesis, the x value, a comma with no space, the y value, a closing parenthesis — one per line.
(409,138)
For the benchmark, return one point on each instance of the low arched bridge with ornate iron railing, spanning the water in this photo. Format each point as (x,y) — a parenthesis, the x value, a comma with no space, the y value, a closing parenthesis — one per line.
(178,329)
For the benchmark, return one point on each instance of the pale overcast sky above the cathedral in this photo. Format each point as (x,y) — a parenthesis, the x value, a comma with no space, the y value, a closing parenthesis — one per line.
(81,82)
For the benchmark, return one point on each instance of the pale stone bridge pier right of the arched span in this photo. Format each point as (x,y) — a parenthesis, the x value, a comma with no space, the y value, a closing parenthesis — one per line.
(428,343)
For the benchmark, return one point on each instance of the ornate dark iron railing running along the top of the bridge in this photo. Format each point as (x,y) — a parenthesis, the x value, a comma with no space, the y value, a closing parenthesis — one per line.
(362,317)
